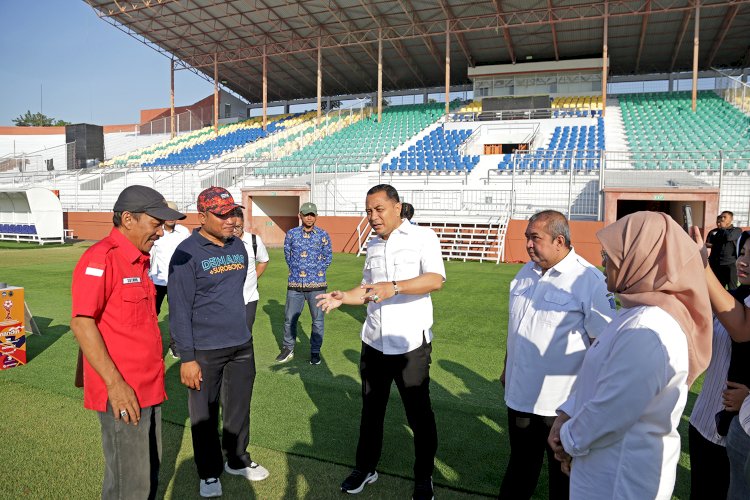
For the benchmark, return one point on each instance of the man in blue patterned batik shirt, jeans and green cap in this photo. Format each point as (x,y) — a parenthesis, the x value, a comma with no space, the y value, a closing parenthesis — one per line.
(307,250)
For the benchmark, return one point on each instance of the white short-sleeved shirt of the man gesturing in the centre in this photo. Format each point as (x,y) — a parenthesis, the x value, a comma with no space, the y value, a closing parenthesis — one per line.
(396,325)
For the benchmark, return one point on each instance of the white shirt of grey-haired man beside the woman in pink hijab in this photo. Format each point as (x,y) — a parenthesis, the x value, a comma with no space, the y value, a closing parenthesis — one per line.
(552,318)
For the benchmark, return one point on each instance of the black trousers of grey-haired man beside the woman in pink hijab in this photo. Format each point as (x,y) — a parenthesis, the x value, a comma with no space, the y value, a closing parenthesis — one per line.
(528,435)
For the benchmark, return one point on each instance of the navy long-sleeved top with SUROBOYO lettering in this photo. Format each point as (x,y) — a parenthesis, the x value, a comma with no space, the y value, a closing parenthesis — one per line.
(206,306)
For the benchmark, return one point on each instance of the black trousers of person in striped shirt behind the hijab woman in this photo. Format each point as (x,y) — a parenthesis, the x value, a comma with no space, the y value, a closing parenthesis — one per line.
(709,468)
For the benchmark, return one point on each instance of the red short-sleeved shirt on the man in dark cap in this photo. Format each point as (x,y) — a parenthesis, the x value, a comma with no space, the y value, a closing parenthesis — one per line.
(111,285)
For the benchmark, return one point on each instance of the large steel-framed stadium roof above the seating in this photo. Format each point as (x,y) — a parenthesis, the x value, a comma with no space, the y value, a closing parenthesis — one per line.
(646,36)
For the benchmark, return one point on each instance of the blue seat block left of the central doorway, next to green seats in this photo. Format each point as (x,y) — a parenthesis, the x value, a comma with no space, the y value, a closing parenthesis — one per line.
(436,152)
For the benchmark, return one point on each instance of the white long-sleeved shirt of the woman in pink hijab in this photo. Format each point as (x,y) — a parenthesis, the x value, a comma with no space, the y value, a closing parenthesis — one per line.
(626,407)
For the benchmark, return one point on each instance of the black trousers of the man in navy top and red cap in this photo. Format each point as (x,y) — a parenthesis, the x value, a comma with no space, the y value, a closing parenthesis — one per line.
(228,377)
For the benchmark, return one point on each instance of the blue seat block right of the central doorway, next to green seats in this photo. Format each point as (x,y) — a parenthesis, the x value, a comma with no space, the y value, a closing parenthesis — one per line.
(576,147)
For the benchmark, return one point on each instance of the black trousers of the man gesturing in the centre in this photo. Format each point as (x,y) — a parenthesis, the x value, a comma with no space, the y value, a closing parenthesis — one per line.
(411,372)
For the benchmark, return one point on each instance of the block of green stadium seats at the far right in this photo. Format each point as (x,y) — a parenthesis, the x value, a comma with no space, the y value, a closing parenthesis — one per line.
(664,133)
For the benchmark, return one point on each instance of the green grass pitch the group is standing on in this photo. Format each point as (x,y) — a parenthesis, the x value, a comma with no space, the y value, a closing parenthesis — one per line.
(305,419)
